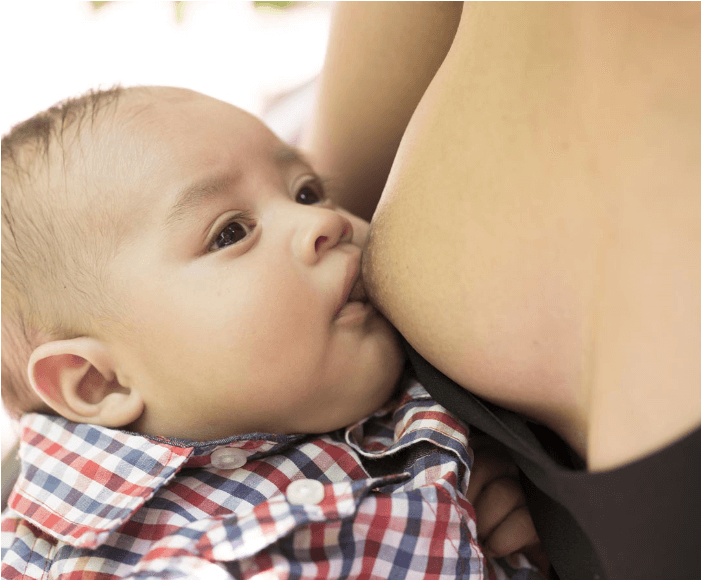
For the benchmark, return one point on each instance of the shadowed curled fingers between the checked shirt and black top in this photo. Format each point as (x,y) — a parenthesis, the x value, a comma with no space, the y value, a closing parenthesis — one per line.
(503,520)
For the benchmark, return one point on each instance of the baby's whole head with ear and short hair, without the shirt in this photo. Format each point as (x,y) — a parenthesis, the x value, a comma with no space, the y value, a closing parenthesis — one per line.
(171,267)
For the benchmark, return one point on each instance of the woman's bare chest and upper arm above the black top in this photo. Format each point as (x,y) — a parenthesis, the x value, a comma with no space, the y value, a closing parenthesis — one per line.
(537,237)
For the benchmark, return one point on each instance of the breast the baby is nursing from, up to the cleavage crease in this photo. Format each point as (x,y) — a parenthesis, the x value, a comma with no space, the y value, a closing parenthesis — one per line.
(481,249)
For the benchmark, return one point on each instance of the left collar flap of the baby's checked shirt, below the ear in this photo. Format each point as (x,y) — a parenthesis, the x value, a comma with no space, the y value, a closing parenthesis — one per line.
(79,482)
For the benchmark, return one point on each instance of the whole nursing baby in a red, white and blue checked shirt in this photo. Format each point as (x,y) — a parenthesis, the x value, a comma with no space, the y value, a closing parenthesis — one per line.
(204,391)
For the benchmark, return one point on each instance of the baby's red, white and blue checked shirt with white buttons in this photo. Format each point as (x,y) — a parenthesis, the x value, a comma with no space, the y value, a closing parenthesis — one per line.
(381,499)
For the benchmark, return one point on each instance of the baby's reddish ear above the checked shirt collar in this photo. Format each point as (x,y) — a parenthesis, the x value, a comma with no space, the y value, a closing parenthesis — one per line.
(77,379)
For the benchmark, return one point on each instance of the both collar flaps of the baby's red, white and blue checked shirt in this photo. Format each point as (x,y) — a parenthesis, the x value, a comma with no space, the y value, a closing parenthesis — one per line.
(79,482)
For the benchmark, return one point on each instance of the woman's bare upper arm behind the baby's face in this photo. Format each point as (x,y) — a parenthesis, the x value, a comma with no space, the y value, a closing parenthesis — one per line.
(380,59)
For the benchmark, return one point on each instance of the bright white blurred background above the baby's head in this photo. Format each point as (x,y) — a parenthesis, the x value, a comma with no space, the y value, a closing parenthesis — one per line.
(261,56)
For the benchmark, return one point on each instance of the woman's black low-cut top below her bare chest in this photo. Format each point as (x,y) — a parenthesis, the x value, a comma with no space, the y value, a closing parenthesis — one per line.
(640,521)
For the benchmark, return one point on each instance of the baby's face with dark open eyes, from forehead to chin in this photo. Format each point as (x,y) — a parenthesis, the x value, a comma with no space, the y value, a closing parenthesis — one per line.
(235,283)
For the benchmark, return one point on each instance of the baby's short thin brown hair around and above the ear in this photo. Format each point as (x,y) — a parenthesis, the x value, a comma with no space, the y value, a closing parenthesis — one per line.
(52,266)
